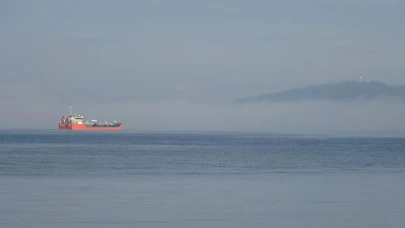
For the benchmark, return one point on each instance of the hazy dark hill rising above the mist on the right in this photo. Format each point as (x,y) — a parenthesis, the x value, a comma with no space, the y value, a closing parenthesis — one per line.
(346,91)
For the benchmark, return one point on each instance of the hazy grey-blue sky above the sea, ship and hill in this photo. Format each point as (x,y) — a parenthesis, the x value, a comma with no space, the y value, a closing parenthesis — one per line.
(185,59)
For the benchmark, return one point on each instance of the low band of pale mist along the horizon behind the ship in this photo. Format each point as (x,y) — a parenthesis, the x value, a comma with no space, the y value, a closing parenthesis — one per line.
(377,117)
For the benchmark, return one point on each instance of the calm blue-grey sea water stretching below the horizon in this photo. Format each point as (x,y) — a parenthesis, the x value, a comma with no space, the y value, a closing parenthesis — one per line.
(128,179)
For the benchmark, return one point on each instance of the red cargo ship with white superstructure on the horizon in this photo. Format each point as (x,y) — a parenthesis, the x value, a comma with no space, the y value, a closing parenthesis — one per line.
(75,123)
